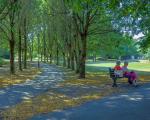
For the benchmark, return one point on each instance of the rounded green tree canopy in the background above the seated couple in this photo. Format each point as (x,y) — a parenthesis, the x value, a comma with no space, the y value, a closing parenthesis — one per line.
(112,45)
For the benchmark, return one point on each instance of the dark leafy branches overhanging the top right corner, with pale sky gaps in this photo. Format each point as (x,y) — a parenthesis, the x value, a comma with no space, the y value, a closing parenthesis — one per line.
(132,15)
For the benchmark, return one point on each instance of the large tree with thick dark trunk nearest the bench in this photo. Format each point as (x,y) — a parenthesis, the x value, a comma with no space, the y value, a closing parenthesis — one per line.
(86,14)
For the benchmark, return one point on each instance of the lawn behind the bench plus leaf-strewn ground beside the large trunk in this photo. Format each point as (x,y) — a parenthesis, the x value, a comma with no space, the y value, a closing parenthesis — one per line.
(97,73)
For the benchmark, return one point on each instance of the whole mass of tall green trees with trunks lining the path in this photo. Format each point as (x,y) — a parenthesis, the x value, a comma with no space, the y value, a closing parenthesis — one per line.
(67,32)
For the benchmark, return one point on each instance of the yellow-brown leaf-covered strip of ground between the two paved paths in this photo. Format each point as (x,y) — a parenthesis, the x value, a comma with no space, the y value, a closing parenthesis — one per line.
(49,102)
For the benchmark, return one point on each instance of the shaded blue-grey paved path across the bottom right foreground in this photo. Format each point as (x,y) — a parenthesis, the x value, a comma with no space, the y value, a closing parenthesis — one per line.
(134,105)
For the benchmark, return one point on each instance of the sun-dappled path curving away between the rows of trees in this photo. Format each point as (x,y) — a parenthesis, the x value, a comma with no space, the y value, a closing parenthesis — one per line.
(48,79)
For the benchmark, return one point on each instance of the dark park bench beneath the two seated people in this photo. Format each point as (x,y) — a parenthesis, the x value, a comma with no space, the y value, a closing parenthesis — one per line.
(113,77)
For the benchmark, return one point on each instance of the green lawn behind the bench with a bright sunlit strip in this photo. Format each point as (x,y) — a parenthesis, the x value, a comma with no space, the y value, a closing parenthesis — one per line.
(143,69)
